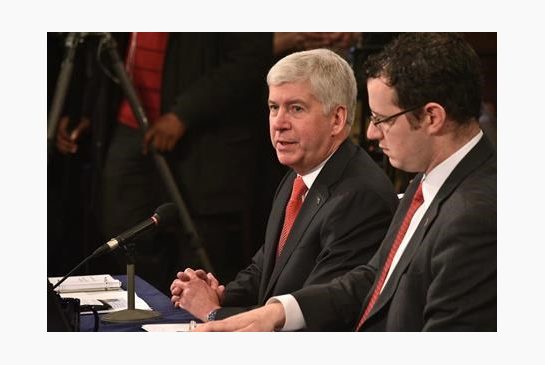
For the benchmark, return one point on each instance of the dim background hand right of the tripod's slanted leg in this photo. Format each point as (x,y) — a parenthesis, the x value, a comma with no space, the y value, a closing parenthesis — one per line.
(164,133)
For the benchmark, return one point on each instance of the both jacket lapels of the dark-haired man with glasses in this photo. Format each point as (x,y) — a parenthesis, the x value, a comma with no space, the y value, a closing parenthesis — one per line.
(473,160)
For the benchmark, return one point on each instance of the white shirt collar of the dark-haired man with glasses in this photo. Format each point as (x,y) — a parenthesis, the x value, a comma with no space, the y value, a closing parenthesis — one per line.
(432,182)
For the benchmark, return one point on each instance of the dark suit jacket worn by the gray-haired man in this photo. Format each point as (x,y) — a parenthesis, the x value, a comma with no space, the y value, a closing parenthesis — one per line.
(341,223)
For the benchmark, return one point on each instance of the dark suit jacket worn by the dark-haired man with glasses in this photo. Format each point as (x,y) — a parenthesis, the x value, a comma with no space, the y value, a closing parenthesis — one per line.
(445,279)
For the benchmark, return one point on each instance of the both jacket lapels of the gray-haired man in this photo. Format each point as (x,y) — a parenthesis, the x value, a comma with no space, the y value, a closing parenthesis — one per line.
(314,201)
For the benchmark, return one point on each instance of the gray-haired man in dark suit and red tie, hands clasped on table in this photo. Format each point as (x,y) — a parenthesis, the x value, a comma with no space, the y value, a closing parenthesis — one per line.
(330,212)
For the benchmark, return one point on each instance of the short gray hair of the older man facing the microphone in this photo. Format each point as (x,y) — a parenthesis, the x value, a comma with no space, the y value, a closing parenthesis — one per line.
(331,78)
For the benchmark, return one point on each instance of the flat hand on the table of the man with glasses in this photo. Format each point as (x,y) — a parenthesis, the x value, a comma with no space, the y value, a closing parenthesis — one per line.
(263,319)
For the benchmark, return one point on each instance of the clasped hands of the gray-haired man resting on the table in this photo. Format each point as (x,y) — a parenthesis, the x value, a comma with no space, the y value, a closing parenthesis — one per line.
(197,292)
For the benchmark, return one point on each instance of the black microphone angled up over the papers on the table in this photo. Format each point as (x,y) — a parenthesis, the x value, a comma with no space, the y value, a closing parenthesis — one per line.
(164,215)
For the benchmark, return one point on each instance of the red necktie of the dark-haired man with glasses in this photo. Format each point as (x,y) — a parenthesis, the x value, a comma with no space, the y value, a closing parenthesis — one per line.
(417,201)
